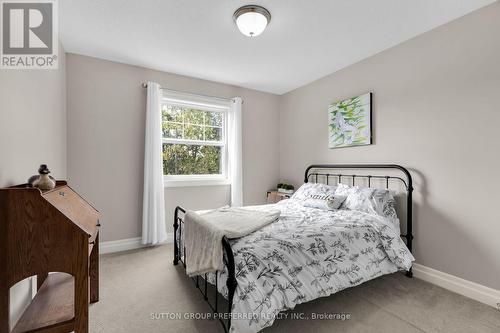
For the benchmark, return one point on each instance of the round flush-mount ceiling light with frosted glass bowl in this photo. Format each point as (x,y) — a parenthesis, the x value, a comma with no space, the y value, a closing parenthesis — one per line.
(252,20)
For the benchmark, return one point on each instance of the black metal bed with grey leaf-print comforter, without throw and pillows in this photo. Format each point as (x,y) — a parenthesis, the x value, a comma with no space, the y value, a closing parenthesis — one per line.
(308,253)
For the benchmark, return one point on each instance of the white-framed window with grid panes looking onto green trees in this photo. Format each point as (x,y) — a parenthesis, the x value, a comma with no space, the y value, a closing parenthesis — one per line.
(194,141)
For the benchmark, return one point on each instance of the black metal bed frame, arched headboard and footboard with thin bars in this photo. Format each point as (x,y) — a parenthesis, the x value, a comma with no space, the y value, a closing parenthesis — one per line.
(225,316)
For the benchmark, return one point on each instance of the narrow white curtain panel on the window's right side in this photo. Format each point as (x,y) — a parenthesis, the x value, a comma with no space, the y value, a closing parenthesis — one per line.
(235,152)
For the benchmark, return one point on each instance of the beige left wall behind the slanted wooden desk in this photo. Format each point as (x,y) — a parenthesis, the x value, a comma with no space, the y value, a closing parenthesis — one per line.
(32,132)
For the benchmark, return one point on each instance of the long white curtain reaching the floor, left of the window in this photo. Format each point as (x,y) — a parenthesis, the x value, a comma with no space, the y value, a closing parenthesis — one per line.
(153,208)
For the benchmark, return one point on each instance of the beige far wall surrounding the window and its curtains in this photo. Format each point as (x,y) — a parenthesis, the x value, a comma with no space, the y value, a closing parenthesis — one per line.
(106,120)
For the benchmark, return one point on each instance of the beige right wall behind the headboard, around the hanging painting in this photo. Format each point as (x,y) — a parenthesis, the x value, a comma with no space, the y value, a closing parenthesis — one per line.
(436,111)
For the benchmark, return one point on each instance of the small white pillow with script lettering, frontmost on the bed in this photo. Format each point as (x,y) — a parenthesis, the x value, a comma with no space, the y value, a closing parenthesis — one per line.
(319,196)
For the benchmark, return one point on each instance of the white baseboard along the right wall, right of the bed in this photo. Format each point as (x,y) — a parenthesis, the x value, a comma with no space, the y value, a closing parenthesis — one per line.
(458,285)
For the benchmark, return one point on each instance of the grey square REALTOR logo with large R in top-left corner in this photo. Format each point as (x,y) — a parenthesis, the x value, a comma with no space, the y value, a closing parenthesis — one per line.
(29,37)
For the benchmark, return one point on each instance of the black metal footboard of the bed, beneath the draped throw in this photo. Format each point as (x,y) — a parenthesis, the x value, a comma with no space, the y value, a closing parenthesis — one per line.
(224,314)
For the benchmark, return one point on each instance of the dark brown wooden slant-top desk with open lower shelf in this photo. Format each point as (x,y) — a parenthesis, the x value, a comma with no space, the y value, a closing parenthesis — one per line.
(55,236)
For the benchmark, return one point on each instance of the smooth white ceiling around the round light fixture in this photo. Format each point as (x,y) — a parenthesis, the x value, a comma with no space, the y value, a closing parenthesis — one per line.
(306,39)
